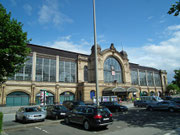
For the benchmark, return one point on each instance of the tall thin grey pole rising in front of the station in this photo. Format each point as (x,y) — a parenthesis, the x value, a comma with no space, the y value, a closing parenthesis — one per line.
(96,61)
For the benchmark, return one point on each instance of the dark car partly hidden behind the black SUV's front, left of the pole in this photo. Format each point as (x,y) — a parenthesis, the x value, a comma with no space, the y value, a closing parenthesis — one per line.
(72,104)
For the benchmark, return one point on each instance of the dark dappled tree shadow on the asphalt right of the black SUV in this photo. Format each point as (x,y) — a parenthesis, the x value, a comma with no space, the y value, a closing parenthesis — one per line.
(163,120)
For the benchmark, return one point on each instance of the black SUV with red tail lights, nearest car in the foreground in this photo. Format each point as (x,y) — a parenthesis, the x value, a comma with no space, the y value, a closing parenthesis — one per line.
(90,116)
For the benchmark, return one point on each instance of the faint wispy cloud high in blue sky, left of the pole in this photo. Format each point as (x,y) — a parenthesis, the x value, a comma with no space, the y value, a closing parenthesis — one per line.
(50,12)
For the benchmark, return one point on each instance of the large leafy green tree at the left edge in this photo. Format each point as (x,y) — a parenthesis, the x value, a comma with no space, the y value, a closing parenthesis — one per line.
(13,45)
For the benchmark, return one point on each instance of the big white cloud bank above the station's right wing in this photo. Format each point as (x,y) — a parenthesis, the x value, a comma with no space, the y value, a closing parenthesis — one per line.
(164,55)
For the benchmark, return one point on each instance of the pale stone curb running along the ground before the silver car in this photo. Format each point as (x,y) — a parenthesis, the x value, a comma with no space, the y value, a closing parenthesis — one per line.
(17,127)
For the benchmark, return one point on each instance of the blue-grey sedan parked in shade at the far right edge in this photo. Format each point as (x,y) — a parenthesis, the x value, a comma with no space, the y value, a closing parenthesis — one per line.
(165,105)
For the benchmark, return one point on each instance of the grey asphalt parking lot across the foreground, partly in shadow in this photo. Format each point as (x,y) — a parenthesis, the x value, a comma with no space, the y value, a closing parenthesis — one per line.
(136,121)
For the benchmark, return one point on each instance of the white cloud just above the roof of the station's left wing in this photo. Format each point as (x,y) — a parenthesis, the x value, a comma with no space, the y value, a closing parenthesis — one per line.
(65,43)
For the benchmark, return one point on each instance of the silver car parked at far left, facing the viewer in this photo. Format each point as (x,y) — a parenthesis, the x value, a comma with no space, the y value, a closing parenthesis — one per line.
(26,114)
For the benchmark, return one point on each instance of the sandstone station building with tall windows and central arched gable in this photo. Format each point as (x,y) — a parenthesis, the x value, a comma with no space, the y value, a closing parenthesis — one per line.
(68,75)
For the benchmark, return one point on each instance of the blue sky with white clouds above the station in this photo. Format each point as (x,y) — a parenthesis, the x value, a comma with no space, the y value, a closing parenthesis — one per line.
(142,28)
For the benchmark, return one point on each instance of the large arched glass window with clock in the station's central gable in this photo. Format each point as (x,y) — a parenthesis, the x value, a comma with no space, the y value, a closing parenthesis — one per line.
(112,70)
